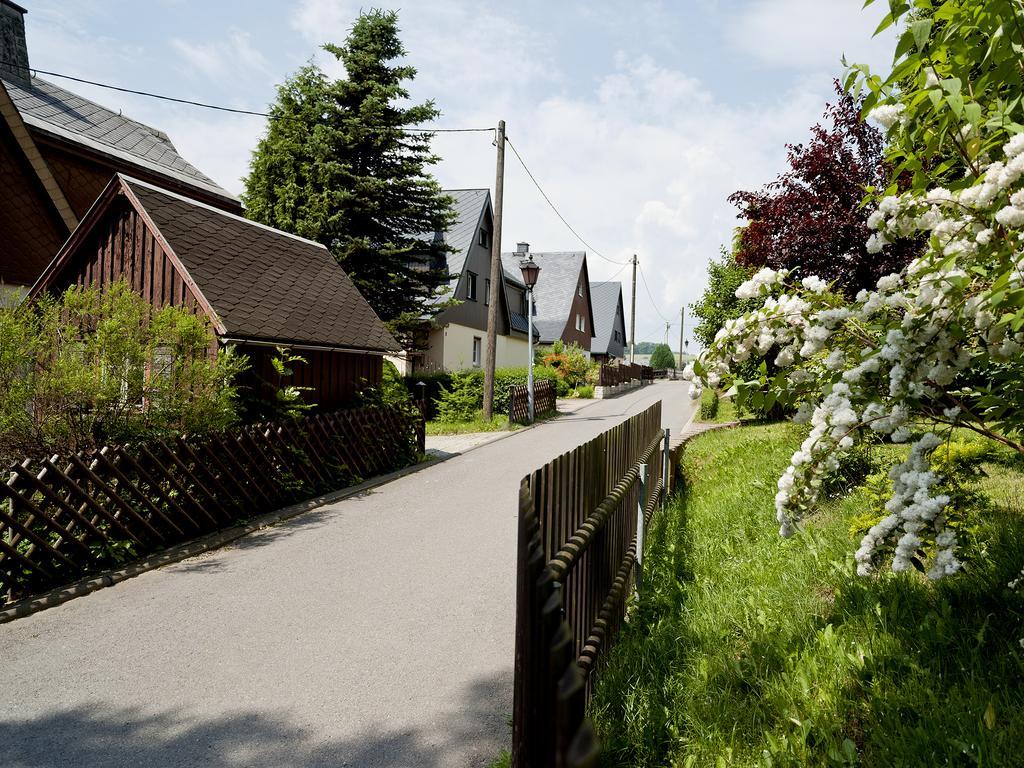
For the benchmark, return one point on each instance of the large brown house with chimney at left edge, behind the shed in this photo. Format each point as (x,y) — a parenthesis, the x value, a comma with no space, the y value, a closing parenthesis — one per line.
(58,153)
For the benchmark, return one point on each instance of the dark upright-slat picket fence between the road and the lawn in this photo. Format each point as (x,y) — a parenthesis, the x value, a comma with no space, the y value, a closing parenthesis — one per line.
(577,557)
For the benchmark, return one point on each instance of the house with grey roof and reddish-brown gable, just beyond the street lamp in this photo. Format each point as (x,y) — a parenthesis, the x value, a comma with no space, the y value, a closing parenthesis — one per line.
(563,308)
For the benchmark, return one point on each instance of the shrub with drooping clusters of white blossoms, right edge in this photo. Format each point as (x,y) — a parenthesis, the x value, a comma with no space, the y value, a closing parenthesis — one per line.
(932,349)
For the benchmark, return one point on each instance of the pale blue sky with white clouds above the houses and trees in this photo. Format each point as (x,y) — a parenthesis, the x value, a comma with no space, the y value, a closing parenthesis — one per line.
(638,119)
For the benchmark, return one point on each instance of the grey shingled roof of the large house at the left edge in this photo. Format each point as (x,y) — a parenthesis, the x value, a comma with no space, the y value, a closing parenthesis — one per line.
(67,116)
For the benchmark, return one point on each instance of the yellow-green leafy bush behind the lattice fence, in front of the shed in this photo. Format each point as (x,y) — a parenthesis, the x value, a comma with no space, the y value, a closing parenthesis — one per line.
(92,367)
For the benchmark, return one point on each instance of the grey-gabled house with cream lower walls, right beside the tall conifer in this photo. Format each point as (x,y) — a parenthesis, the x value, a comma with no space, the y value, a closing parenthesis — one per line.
(458,337)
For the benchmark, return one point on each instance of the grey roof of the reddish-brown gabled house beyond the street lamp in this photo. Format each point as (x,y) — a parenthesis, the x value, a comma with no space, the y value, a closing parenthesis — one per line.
(557,286)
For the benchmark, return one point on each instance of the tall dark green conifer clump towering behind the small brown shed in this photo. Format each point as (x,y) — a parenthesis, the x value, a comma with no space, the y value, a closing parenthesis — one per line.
(338,166)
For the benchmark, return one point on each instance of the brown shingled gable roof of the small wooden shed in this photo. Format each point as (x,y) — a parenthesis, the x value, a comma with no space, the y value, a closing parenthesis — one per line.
(260,284)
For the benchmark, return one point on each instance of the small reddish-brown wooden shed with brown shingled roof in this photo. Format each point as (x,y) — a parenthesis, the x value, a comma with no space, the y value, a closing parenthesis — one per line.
(262,288)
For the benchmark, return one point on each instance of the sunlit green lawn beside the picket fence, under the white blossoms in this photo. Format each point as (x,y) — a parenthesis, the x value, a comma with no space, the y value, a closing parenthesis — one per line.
(748,650)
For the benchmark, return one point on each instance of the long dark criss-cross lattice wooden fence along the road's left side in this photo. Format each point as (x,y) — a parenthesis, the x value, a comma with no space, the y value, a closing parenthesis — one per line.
(65,518)
